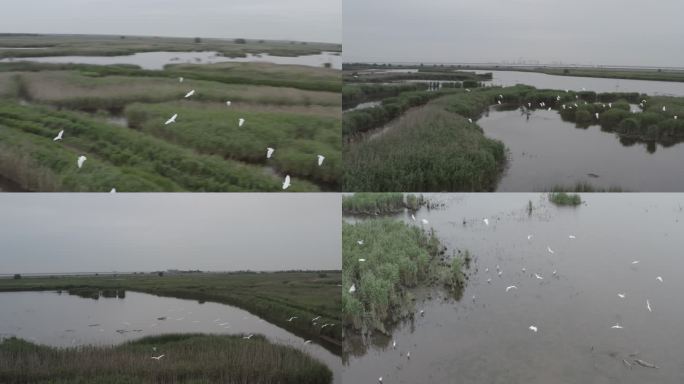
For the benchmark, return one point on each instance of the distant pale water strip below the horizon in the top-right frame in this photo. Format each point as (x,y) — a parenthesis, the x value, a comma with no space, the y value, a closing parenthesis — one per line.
(541,80)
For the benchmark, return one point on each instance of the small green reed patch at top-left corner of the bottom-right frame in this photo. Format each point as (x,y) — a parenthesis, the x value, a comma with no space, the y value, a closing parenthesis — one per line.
(380,203)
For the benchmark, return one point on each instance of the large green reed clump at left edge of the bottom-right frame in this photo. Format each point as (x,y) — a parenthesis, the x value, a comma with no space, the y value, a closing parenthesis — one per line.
(397,257)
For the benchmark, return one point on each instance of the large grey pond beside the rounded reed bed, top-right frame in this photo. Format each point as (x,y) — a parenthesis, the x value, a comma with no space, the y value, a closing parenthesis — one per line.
(545,151)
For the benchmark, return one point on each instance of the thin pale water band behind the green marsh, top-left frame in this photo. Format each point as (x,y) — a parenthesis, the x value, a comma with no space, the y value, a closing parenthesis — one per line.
(157,60)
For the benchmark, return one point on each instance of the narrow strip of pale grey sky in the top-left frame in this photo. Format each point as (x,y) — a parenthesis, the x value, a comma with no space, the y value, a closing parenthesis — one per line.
(302,20)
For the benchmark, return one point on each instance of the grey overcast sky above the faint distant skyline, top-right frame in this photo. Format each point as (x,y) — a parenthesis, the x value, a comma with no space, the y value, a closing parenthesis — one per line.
(624,32)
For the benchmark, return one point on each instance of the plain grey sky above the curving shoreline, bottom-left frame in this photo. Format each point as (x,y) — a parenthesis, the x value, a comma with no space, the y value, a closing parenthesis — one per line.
(73,232)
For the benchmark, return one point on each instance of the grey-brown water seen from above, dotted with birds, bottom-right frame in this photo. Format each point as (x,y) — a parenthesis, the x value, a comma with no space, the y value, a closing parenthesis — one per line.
(488,340)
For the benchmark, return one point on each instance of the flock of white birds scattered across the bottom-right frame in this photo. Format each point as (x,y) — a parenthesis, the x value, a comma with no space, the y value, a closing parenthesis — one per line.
(533,327)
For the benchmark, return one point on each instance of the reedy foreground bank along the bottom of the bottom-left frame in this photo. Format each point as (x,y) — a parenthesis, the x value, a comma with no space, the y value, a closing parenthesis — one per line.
(188,358)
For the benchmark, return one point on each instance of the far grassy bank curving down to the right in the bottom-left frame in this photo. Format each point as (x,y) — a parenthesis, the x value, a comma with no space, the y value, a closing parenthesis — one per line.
(274,297)
